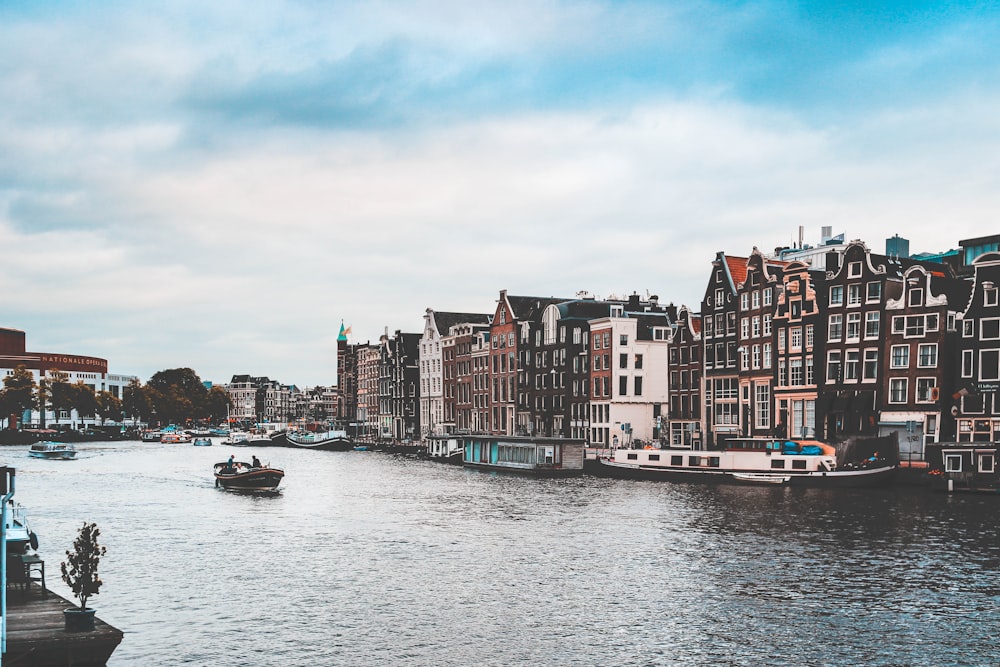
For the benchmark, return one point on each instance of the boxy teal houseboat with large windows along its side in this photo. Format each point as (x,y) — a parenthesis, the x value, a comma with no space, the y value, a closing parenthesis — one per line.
(543,457)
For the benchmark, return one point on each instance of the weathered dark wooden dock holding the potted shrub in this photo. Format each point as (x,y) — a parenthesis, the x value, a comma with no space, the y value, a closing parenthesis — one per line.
(36,633)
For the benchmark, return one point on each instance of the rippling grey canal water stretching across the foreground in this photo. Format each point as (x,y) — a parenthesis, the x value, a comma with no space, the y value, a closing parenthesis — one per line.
(371,559)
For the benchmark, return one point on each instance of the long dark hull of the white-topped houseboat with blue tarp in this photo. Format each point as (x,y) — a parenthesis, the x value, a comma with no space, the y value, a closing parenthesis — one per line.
(880,476)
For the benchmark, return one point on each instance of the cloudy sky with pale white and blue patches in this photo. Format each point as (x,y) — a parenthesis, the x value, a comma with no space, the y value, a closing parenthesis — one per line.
(220,185)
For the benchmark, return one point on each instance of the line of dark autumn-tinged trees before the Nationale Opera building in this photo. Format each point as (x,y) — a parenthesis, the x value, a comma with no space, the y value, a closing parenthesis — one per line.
(174,396)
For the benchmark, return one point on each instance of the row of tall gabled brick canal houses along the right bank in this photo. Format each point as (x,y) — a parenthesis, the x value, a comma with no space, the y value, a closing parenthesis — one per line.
(827,344)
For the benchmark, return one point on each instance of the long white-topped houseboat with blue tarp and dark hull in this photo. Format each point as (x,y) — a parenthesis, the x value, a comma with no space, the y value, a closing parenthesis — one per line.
(748,461)
